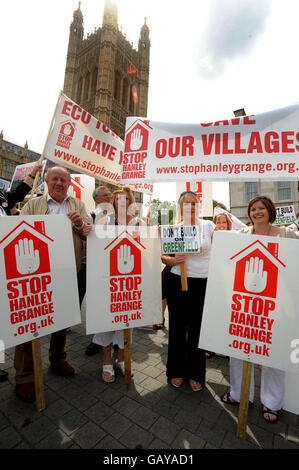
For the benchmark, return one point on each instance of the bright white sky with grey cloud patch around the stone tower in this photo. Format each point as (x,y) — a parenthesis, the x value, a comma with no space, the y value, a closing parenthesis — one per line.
(208,58)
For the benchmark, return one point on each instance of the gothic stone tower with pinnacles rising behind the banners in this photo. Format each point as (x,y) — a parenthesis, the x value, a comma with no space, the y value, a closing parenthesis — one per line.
(103,71)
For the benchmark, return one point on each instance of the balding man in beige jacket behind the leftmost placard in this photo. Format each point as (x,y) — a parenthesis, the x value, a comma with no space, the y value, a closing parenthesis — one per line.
(55,202)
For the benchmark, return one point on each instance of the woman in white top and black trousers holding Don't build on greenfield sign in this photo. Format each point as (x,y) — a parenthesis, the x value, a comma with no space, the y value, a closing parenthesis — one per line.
(185,359)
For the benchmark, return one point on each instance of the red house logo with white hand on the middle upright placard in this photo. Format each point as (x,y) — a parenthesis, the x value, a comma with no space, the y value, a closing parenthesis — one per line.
(125,255)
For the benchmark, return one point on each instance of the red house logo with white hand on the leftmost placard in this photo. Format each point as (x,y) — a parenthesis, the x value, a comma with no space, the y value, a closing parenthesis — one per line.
(34,238)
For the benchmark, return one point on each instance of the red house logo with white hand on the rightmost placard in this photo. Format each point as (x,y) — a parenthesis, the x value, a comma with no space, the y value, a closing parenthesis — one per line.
(246,267)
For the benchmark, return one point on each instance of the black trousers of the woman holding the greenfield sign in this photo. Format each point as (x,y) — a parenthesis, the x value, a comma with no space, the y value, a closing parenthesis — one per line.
(185,309)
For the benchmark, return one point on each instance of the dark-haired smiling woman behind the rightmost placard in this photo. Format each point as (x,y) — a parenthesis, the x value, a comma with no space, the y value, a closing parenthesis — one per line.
(261,213)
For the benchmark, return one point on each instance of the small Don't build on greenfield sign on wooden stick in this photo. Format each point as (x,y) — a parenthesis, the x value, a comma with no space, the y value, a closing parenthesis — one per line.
(180,239)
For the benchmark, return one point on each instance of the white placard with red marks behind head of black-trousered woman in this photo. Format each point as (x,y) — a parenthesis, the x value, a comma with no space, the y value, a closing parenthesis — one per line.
(204,193)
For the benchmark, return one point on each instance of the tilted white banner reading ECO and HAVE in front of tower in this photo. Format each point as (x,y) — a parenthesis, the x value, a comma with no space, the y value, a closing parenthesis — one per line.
(82,143)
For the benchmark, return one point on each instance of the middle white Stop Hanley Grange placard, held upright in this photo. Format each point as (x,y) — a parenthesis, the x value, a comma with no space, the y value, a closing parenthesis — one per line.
(123,278)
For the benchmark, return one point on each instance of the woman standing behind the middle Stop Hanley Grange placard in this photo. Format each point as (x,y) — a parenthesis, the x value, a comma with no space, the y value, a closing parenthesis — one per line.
(123,201)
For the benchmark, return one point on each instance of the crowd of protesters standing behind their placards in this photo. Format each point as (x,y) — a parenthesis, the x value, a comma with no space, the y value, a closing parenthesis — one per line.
(186,362)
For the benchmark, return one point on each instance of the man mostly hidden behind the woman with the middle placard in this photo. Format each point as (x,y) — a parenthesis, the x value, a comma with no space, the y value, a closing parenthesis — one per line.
(102,199)
